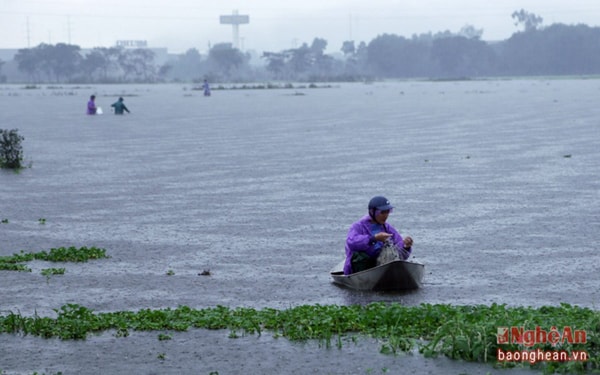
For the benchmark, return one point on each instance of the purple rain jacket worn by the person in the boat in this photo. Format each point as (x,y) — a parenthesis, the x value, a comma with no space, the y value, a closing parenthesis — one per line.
(359,237)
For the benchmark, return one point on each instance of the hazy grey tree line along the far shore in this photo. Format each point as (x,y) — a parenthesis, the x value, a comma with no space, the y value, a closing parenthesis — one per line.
(557,49)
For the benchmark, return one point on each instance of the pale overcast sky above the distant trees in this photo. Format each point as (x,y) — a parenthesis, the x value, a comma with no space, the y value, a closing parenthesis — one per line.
(274,25)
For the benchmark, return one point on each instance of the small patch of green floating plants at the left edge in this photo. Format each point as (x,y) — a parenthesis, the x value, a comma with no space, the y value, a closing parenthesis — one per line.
(61,254)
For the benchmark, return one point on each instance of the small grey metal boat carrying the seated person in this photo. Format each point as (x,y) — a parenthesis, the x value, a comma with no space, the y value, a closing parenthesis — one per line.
(395,275)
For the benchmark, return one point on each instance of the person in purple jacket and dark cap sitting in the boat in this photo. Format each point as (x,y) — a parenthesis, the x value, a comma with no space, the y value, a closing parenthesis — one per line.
(366,238)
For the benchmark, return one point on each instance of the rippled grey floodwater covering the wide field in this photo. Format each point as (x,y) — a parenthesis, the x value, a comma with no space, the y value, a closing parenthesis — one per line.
(498,183)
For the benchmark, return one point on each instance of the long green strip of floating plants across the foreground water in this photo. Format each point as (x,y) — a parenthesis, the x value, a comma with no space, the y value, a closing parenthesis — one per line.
(458,332)
